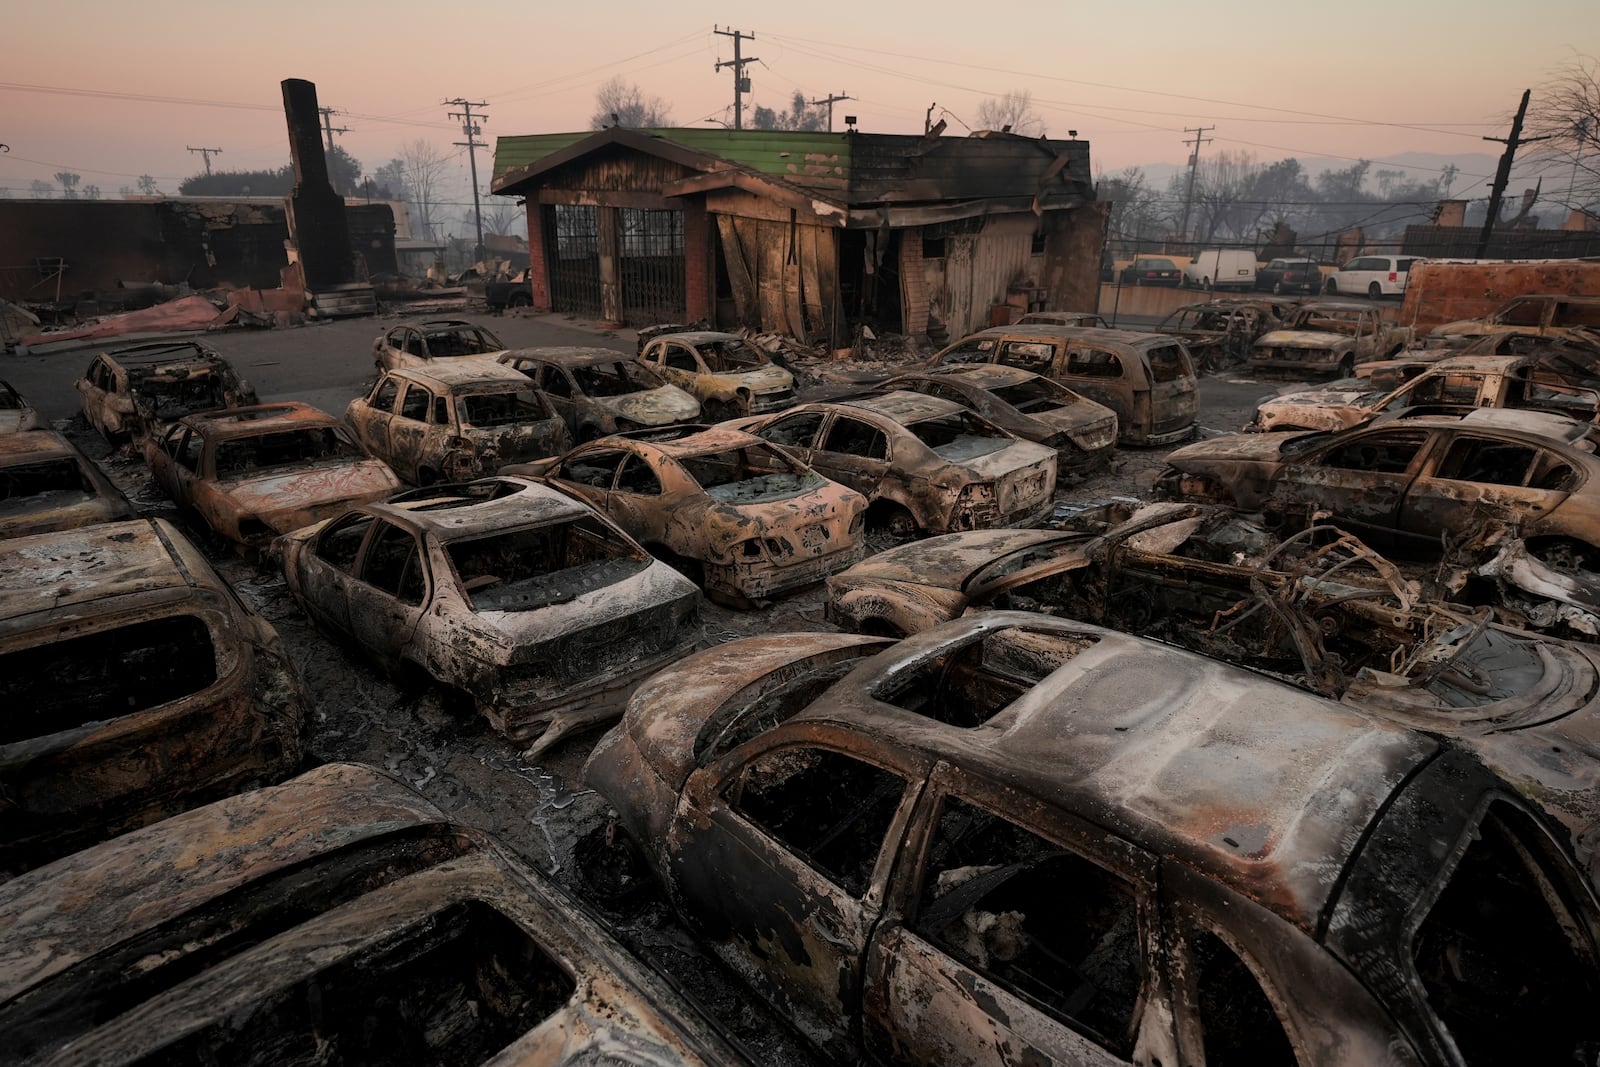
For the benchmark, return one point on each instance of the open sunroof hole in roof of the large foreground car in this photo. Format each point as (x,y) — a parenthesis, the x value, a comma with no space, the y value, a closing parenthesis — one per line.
(982,677)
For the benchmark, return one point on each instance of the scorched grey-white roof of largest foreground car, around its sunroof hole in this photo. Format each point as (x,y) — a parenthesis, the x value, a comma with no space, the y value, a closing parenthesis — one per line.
(1263,786)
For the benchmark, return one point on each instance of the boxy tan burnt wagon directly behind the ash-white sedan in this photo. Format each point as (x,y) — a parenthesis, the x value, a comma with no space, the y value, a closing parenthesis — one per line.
(455,422)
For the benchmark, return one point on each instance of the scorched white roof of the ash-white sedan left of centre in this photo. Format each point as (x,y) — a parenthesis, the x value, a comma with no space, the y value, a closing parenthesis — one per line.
(471,510)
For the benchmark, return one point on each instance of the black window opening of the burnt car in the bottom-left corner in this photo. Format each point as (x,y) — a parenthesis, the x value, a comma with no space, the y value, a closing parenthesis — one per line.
(454,989)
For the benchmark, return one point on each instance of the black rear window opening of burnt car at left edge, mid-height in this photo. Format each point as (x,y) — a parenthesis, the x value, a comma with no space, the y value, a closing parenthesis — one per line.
(105,676)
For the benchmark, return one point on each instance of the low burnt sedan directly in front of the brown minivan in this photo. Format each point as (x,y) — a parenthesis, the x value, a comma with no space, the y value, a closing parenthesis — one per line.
(1030,406)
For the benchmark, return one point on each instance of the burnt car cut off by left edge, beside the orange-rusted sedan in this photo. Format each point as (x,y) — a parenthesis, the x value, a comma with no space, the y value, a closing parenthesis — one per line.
(47,484)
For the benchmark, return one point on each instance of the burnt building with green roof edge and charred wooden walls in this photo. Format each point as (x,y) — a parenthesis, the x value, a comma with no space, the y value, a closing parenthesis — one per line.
(809,234)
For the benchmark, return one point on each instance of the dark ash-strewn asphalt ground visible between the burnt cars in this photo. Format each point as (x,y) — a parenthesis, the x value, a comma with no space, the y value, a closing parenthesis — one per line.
(540,810)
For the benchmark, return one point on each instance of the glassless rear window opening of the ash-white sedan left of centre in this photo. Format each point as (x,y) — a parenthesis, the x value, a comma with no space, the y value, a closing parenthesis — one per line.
(526,570)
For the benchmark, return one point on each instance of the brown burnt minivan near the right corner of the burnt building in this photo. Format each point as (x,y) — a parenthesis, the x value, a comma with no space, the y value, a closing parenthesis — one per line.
(1146,378)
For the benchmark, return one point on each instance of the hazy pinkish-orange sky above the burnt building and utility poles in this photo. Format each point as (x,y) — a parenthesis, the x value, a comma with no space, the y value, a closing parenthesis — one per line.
(119,90)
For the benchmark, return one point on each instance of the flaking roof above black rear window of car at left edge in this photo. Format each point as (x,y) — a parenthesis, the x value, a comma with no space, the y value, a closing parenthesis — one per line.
(92,564)
